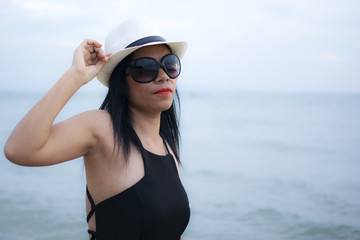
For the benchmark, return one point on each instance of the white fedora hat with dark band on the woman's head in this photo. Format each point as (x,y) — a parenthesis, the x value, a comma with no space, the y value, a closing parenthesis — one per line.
(128,37)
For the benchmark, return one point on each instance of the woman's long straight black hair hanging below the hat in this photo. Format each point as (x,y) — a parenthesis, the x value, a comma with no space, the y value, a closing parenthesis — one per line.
(116,103)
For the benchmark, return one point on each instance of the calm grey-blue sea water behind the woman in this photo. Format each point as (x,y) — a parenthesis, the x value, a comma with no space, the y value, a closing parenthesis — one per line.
(255,166)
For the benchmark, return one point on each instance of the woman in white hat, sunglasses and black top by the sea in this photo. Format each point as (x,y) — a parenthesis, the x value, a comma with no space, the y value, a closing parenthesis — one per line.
(130,146)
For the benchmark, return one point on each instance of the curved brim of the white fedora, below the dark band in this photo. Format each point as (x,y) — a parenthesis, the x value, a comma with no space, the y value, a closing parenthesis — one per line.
(178,48)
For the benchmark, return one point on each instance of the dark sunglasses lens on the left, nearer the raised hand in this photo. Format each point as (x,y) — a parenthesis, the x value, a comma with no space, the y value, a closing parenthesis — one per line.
(144,70)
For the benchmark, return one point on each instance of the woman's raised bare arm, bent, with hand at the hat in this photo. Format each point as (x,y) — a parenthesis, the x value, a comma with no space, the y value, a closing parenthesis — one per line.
(35,140)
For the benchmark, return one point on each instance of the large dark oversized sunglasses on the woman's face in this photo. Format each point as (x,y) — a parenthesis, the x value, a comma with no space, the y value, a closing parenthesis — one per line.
(146,69)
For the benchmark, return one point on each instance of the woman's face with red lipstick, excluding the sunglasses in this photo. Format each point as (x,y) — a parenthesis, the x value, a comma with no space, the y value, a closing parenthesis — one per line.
(155,96)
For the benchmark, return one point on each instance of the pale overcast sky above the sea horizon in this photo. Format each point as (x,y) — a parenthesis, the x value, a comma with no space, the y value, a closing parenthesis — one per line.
(258,45)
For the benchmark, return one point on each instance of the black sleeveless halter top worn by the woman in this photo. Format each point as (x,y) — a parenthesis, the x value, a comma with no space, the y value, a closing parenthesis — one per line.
(156,207)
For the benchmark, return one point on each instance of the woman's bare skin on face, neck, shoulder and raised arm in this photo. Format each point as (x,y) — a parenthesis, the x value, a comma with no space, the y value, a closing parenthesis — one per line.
(36,141)
